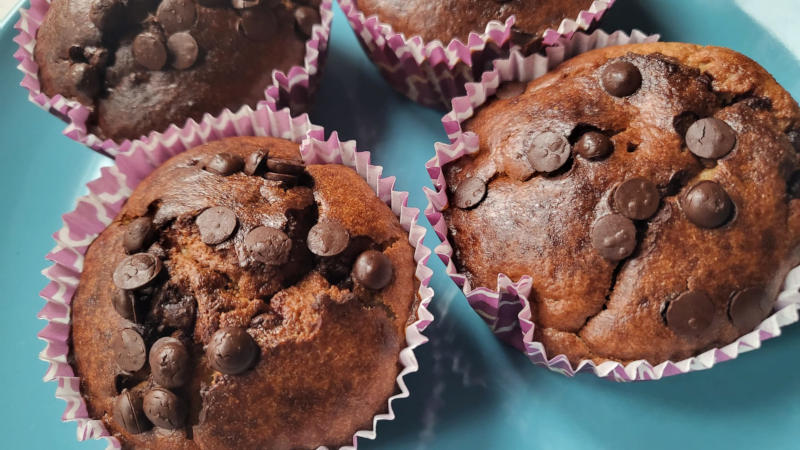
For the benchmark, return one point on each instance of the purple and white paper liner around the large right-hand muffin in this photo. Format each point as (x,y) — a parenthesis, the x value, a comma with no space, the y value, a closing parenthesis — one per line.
(506,308)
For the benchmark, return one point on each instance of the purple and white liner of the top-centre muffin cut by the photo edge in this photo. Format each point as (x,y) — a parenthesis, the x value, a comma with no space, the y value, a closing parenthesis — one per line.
(432,73)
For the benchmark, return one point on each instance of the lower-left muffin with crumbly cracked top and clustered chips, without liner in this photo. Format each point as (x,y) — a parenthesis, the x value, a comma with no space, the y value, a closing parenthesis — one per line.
(243,300)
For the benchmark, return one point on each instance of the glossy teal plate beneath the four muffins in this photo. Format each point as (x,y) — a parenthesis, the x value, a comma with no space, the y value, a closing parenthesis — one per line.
(471,391)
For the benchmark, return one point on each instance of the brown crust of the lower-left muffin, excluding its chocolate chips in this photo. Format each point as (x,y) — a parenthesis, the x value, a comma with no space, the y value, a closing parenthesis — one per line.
(328,349)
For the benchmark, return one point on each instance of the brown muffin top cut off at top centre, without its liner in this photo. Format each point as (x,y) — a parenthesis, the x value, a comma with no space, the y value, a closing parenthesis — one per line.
(455,19)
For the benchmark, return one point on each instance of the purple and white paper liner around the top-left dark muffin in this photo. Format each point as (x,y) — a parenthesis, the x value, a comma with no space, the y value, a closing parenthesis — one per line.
(293,89)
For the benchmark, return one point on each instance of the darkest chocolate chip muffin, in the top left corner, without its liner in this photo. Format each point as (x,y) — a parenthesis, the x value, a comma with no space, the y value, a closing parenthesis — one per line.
(140,66)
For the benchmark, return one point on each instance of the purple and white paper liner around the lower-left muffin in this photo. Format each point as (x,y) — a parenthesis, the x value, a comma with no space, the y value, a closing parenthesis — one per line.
(107,194)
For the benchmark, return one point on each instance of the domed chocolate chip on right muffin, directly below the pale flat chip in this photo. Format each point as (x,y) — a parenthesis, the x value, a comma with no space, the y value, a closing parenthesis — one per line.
(707,205)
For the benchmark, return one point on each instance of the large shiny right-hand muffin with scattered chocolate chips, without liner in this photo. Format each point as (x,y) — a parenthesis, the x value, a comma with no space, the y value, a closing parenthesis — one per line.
(650,192)
